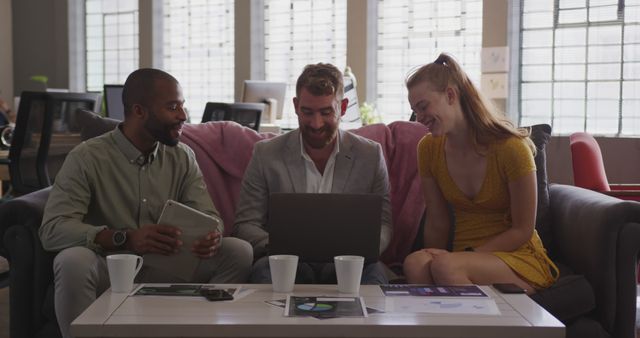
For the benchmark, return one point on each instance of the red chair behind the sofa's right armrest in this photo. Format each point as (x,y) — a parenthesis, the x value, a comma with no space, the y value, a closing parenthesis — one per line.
(589,172)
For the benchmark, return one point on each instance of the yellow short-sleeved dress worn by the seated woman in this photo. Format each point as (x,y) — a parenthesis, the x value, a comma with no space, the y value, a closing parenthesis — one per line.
(488,213)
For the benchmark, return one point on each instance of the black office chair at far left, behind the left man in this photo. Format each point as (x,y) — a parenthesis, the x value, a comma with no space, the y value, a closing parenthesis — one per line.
(46,130)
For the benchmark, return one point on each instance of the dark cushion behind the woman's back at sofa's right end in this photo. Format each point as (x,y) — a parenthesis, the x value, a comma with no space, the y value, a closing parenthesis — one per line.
(540,135)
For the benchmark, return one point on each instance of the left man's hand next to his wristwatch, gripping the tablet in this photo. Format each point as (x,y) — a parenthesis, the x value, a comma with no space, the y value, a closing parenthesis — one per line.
(154,238)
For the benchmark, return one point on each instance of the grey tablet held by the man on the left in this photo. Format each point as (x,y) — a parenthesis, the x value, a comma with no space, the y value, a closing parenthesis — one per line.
(194,225)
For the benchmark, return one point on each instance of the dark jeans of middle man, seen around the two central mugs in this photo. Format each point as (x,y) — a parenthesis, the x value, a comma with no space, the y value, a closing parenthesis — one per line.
(317,273)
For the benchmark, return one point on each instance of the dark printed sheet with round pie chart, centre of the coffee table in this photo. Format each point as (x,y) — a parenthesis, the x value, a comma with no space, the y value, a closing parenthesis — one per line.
(324,307)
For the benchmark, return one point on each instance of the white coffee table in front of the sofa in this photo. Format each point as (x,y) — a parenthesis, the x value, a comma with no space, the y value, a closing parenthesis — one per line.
(118,315)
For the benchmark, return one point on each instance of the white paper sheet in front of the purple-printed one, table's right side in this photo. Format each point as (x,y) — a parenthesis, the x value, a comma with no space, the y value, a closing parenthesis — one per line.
(442,305)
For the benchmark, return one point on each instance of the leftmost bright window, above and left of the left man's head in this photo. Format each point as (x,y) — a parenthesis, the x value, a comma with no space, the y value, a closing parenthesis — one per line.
(111,40)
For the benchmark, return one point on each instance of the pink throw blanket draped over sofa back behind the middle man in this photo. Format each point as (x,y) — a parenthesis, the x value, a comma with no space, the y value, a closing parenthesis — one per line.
(223,151)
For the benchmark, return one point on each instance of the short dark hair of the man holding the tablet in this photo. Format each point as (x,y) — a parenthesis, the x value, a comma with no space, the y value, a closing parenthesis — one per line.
(139,87)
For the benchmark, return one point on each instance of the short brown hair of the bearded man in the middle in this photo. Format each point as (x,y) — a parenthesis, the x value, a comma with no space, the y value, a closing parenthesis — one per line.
(320,80)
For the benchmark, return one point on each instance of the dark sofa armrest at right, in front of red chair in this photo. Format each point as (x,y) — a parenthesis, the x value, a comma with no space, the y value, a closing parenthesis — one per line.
(599,237)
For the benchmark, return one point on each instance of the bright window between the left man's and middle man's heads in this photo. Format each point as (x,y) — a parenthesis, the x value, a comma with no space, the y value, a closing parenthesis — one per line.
(199,50)
